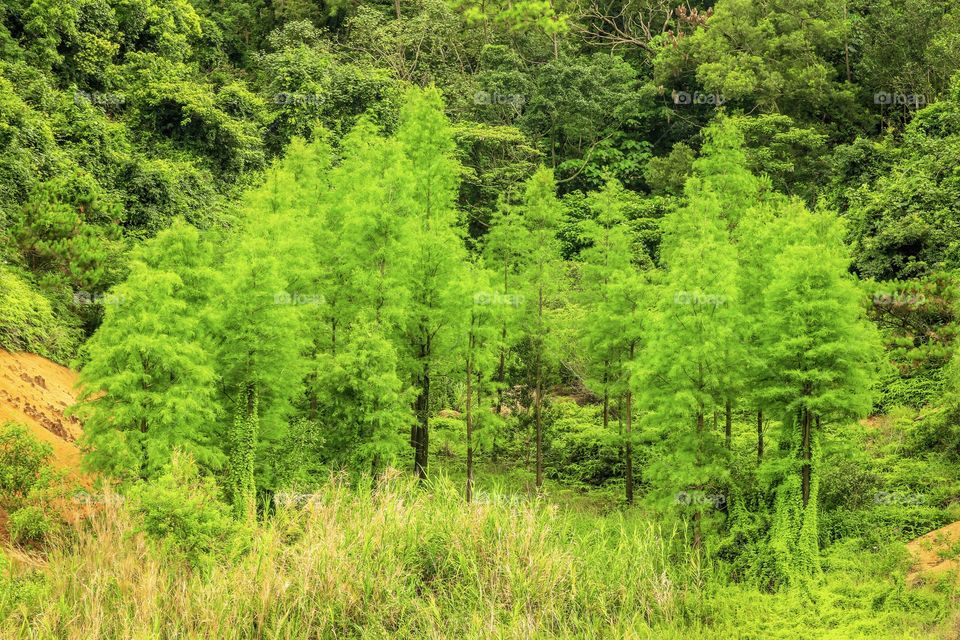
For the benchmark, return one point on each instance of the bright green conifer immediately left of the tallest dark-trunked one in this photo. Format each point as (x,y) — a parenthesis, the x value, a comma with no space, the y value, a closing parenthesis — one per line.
(356,388)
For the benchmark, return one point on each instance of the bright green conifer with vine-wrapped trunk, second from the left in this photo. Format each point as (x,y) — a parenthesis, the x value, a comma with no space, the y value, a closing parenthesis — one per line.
(261,347)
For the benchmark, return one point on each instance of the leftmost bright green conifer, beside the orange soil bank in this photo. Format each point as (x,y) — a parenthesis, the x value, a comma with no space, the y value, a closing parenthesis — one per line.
(148,384)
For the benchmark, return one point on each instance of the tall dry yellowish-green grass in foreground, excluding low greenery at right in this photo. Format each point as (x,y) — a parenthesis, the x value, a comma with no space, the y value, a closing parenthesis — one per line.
(395,562)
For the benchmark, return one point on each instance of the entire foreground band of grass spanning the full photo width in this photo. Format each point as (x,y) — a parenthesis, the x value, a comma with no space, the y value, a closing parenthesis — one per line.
(403,562)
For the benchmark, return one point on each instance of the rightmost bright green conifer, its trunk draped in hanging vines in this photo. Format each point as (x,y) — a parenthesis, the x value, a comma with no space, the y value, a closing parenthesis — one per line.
(823,355)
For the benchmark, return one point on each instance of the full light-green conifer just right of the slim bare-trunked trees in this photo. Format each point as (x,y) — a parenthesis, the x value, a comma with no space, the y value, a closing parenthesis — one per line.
(689,347)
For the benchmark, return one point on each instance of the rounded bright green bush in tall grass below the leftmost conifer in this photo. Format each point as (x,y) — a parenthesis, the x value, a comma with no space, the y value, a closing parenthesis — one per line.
(183,513)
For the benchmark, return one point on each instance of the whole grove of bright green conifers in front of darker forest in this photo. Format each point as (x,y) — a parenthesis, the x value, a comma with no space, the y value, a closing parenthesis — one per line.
(325,328)
